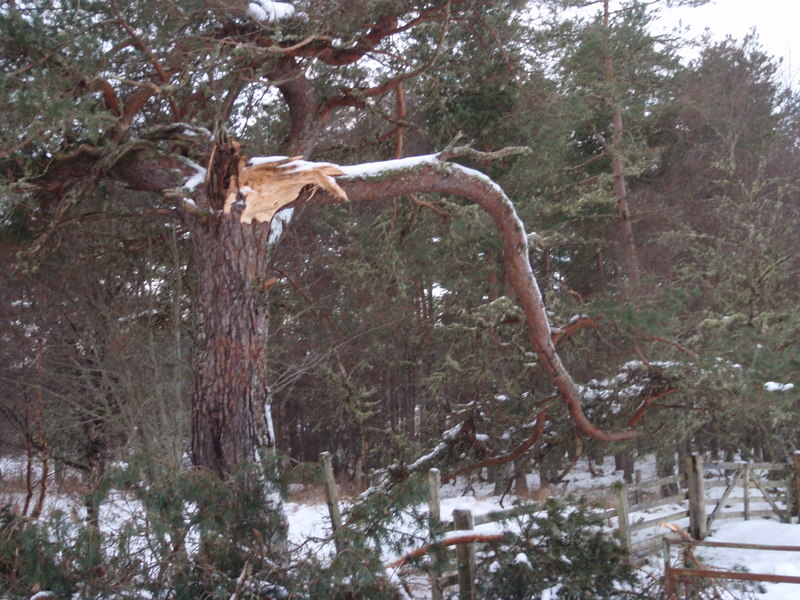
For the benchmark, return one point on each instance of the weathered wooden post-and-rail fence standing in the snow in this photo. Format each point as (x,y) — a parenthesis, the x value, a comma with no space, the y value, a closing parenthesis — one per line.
(625,506)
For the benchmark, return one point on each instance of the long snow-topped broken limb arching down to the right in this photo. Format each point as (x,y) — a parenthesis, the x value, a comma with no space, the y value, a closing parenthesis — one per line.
(429,174)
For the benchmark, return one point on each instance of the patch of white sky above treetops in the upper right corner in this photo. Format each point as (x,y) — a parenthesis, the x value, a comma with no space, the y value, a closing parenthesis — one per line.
(776,22)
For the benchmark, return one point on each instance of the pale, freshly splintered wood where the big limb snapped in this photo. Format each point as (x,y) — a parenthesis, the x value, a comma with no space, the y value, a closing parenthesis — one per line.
(268,187)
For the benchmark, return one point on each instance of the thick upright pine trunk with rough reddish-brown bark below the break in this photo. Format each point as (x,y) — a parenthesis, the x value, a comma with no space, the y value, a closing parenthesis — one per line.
(230,406)
